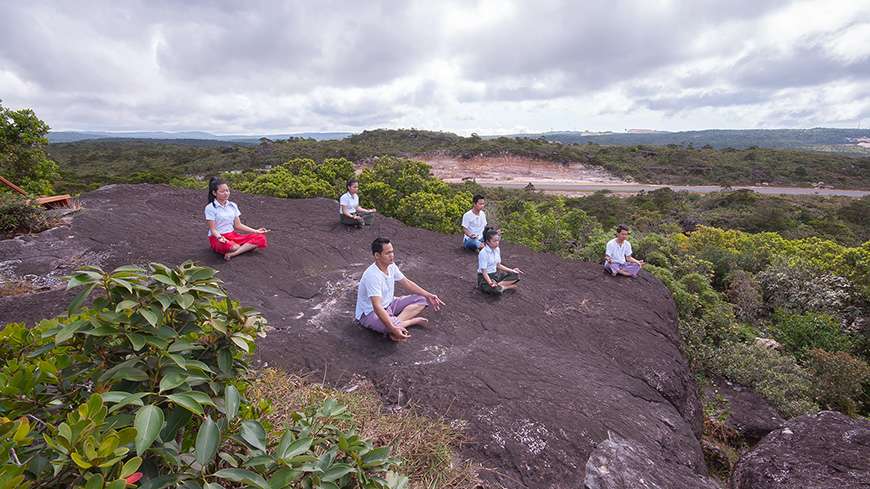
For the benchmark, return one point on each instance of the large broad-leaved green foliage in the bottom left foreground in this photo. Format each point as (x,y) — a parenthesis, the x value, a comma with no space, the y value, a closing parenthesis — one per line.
(149,381)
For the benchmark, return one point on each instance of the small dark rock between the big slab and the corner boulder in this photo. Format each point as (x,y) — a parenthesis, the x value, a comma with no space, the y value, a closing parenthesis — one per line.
(749,415)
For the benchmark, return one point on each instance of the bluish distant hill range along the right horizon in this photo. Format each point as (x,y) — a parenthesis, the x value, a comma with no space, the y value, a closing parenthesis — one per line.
(717,138)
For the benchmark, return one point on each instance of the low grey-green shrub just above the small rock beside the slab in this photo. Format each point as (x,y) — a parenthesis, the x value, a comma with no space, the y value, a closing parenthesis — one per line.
(773,375)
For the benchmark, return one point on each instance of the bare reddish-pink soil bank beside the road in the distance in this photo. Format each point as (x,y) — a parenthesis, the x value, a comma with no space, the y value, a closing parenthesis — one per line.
(509,168)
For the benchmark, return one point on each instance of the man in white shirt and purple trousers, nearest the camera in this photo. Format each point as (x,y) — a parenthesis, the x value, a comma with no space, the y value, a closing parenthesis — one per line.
(376,306)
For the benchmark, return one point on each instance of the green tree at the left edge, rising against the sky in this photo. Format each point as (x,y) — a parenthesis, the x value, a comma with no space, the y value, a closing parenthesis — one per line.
(22,151)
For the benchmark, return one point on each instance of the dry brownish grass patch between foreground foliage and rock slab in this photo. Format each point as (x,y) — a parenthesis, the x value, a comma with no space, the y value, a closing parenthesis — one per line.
(426,446)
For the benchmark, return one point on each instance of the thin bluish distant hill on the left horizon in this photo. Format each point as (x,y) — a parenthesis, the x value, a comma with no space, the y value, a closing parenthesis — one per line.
(73,136)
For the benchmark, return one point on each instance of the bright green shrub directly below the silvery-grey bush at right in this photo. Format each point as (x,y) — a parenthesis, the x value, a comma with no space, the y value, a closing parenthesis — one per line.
(801,332)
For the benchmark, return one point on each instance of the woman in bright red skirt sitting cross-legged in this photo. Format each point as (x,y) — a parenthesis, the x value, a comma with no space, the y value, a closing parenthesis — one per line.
(223,221)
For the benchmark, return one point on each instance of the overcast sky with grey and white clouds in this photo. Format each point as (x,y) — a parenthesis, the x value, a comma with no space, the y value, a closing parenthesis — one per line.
(487,66)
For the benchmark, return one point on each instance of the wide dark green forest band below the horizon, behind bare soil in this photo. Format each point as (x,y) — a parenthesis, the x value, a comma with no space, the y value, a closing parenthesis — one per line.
(89,163)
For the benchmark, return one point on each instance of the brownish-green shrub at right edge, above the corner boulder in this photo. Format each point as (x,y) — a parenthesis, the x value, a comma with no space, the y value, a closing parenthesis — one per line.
(840,379)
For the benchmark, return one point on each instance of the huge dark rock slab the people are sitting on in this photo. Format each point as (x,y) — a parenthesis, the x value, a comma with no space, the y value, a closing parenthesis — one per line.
(541,377)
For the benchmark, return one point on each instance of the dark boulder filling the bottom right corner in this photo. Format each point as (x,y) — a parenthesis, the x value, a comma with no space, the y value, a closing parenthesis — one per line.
(828,450)
